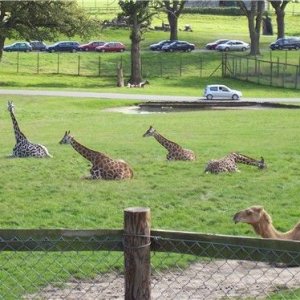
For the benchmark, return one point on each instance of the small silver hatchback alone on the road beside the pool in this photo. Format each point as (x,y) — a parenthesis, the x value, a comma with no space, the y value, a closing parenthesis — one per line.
(221,91)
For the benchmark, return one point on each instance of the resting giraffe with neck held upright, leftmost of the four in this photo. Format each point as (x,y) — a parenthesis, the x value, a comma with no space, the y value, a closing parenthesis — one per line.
(23,147)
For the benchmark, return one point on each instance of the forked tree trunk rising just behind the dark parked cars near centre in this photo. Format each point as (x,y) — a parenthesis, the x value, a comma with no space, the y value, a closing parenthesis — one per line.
(173,9)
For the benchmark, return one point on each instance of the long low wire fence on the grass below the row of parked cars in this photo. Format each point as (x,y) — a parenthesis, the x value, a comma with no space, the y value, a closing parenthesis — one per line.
(103,65)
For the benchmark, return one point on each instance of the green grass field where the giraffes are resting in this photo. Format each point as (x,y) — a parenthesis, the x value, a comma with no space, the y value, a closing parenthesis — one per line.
(49,193)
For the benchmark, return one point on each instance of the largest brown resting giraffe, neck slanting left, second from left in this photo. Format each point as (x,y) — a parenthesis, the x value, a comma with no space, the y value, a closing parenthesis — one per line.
(103,167)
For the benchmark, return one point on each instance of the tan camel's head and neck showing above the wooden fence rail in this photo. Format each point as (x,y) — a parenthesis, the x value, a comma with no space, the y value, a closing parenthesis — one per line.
(261,222)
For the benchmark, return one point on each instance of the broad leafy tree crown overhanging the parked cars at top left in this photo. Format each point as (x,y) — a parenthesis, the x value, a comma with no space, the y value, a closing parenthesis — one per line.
(42,20)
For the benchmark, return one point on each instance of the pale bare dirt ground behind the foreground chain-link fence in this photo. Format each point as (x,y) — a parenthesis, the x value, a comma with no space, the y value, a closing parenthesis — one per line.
(212,280)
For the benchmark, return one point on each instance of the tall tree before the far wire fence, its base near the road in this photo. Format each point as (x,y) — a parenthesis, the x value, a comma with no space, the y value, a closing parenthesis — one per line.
(138,17)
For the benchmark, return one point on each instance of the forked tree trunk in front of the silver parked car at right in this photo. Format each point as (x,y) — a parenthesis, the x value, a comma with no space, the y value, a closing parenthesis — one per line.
(254,12)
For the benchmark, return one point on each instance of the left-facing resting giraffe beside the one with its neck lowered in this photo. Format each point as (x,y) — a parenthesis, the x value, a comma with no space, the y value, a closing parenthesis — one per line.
(175,152)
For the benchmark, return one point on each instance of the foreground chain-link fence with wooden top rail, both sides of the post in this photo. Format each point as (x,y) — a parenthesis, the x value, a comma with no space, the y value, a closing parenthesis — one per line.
(90,265)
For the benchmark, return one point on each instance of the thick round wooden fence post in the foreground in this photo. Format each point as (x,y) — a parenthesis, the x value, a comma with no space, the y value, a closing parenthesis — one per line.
(137,253)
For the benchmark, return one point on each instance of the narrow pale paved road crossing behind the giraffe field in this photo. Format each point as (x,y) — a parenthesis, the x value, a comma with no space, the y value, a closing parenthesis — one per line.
(78,94)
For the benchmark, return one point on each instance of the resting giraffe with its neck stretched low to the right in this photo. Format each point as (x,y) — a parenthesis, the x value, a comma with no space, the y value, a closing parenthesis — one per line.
(229,163)
